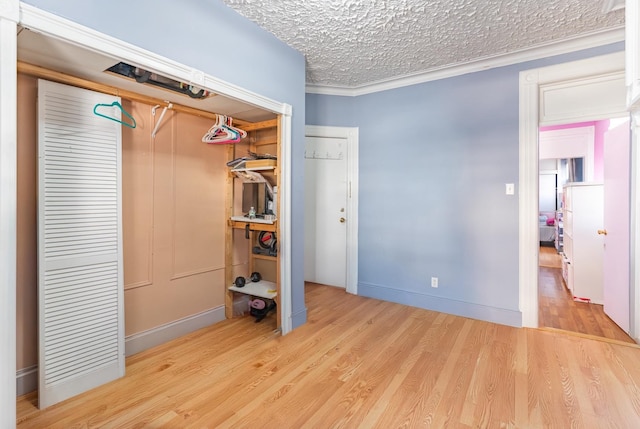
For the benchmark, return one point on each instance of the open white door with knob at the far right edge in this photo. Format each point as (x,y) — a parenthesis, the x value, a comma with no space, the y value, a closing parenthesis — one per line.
(617,154)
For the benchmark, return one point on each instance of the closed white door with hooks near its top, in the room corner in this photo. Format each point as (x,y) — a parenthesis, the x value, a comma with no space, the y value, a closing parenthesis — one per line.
(331,206)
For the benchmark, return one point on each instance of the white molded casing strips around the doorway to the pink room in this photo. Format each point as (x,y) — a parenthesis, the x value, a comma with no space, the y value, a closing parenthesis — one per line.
(532,108)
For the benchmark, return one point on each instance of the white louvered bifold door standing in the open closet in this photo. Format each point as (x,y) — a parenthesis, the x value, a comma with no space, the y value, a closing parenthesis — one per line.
(80,285)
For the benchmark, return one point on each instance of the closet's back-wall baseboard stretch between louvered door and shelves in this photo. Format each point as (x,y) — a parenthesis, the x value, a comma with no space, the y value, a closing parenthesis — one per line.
(144,340)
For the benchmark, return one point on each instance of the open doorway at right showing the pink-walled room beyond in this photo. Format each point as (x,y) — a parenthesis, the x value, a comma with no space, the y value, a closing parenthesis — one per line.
(573,295)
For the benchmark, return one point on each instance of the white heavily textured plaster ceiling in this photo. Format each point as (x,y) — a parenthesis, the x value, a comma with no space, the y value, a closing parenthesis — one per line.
(351,43)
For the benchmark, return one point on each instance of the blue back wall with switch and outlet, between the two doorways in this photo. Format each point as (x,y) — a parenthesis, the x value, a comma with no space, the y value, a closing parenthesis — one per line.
(434,160)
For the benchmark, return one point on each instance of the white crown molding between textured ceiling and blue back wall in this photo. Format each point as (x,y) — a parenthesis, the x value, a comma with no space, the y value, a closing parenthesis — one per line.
(587,41)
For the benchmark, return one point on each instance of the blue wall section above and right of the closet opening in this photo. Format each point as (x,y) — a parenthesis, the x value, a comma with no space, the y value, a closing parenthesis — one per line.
(208,35)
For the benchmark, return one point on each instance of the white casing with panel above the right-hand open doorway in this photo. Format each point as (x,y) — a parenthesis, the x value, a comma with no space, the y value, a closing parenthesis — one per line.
(550,96)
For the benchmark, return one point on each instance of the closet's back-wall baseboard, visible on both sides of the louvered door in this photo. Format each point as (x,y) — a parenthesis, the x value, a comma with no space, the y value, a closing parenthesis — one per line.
(27,378)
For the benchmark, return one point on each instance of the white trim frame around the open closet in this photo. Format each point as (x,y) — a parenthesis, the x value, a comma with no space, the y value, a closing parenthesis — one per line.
(13,13)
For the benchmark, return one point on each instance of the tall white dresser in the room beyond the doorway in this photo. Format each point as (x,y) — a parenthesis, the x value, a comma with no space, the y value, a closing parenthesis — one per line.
(583,247)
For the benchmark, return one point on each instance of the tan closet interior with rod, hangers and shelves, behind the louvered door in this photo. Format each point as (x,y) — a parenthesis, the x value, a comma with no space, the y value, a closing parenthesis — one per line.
(199,207)
